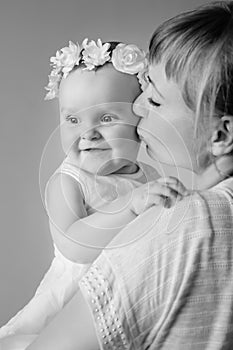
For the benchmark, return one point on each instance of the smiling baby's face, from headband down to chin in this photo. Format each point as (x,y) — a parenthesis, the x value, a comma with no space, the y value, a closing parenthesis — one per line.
(98,125)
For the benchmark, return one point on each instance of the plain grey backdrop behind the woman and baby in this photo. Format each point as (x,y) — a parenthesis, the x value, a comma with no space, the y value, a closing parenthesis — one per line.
(31,31)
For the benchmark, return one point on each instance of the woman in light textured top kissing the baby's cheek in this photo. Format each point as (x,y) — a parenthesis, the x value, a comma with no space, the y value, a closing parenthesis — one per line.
(167,281)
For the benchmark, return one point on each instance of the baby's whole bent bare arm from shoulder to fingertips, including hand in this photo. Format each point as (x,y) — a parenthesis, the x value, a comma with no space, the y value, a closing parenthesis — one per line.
(81,238)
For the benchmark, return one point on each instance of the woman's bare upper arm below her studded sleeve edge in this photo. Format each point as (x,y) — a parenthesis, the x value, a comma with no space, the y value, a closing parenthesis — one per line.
(72,329)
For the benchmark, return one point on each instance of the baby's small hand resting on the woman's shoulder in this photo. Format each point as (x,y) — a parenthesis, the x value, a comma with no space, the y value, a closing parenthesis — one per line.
(164,191)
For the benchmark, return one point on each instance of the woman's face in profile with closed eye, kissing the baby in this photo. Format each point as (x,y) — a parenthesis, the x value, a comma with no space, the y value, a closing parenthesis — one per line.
(167,124)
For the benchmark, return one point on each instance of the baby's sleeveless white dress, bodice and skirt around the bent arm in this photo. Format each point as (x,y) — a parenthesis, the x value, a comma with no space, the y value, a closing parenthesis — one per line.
(61,280)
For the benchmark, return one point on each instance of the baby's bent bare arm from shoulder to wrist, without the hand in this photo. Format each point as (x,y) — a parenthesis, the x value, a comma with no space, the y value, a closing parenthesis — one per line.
(69,223)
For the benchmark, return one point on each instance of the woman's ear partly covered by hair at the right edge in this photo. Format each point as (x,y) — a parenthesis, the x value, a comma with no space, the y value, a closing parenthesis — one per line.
(222,137)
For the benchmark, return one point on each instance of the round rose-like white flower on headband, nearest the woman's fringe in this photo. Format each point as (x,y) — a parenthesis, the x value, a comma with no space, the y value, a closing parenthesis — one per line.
(128,58)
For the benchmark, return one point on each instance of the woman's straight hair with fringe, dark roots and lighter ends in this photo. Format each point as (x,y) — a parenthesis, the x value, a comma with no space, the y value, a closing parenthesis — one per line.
(196,48)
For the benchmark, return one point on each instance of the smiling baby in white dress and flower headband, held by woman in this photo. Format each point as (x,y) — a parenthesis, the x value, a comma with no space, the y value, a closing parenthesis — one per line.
(96,85)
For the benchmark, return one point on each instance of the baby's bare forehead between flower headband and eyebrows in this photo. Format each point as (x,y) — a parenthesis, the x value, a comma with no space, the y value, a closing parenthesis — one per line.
(104,85)
